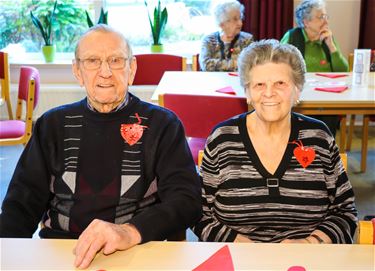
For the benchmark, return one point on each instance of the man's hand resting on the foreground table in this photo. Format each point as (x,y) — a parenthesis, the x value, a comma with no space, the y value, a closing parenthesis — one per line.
(103,235)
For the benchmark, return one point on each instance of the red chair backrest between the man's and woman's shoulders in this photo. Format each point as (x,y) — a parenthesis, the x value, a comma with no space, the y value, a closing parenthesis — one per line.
(200,114)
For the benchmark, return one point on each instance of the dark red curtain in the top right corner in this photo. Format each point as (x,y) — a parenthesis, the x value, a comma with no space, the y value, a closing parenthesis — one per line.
(366,26)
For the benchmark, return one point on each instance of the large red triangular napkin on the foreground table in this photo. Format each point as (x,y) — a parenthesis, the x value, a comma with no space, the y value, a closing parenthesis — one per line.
(220,260)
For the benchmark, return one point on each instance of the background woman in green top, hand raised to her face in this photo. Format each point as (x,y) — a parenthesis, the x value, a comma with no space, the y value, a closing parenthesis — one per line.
(314,39)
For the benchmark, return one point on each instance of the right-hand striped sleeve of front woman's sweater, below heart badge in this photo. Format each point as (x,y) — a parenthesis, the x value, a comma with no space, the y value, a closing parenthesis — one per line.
(341,220)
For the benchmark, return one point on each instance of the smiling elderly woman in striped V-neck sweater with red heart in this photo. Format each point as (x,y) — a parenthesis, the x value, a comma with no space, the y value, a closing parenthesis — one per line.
(271,175)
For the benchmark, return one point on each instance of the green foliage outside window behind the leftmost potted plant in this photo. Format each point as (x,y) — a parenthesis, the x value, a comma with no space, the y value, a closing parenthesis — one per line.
(16,25)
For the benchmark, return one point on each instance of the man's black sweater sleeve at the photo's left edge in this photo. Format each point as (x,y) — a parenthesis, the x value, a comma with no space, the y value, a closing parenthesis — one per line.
(28,192)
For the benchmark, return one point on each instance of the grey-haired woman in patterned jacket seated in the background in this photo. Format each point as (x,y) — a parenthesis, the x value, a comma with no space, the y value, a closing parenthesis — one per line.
(220,49)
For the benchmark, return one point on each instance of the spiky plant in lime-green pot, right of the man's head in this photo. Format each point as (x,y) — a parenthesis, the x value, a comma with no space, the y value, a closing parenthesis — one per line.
(157,25)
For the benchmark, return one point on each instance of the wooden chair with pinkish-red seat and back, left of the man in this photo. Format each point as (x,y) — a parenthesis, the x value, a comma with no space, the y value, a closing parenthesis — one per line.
(19,131)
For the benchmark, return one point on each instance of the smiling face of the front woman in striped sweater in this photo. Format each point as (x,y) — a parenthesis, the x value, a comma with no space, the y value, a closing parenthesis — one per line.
(271,91)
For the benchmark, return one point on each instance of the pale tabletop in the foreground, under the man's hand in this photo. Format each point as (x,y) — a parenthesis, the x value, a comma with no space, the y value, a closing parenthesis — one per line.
(48,254)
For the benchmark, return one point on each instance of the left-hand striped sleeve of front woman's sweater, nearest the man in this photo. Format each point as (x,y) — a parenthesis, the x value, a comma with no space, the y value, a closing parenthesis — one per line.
(210,228)
